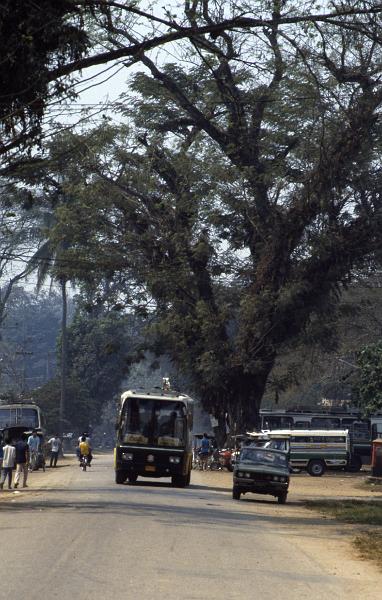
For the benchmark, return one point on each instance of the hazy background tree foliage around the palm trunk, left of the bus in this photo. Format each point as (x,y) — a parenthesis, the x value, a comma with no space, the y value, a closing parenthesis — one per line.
(101,348)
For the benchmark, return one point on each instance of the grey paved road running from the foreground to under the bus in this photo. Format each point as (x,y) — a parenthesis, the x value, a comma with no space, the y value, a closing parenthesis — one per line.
(88,538)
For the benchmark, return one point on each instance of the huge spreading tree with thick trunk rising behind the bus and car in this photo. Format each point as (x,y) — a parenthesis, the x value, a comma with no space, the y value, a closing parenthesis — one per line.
(252,191)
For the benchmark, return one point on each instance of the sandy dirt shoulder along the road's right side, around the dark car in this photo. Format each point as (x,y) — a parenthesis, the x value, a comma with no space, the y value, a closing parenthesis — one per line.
(327,540)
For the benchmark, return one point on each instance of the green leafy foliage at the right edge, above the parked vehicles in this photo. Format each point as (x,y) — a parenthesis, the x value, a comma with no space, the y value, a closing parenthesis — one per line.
(369,380)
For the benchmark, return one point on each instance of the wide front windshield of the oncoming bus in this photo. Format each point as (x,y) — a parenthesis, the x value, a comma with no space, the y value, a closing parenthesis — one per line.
(147,421)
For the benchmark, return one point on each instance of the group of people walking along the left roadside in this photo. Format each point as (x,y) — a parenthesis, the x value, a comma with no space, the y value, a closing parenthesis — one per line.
(21,455)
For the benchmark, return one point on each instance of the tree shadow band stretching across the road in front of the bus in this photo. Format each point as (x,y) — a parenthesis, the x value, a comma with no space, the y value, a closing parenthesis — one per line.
(207,513)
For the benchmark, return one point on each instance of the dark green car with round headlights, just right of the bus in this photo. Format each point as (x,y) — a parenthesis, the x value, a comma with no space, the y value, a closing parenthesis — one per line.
(261,471)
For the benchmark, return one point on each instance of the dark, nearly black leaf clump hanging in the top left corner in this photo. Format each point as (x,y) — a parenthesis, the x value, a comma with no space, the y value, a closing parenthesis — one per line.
(35,37)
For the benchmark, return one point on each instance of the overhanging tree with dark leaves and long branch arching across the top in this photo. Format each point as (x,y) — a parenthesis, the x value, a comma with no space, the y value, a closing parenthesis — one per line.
(44,44)
